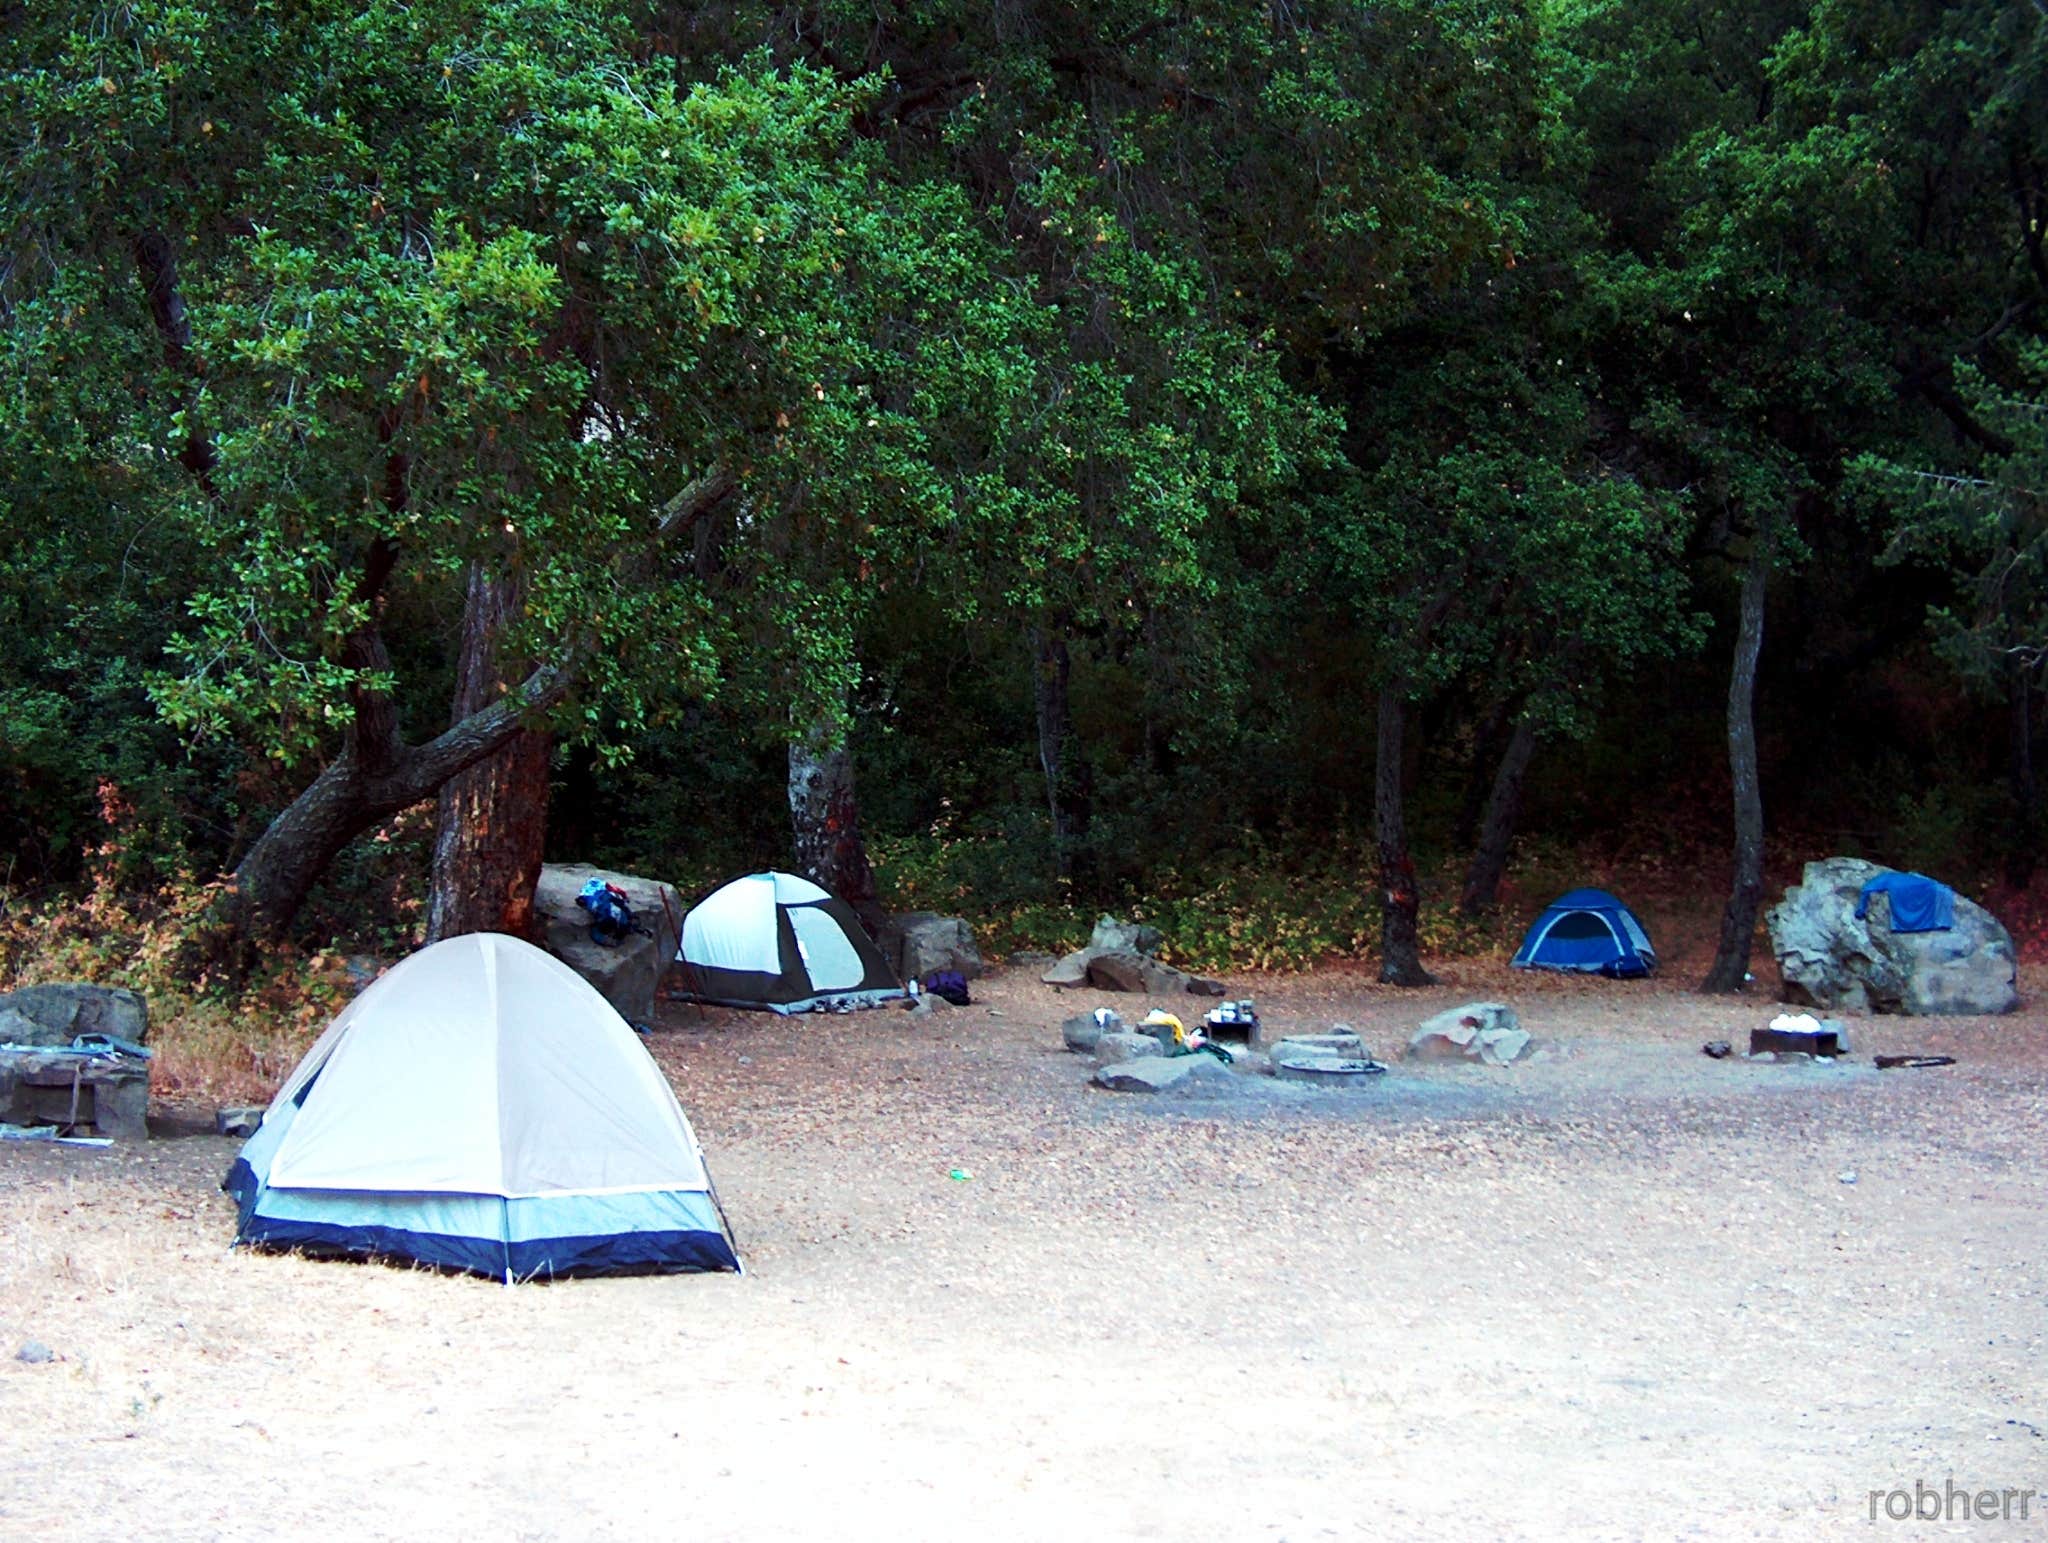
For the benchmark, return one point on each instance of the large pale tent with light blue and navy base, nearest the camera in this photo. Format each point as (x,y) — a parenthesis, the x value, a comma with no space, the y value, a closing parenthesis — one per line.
(482,1108)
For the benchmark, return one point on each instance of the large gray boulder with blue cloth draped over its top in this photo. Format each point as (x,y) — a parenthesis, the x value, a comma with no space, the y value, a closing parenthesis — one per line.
(1830,958)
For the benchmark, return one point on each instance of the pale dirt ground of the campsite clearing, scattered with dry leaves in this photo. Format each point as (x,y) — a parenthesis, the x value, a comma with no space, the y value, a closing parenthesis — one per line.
(1615,1292)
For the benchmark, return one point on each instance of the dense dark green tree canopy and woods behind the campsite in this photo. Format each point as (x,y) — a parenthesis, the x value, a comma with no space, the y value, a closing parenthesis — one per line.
(1062,452)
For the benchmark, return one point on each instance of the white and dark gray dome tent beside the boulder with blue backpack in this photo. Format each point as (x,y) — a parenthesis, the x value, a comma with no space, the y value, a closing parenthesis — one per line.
(779,942)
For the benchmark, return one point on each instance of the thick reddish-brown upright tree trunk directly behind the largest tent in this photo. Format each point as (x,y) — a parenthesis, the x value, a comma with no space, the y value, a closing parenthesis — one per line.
(493,821)
